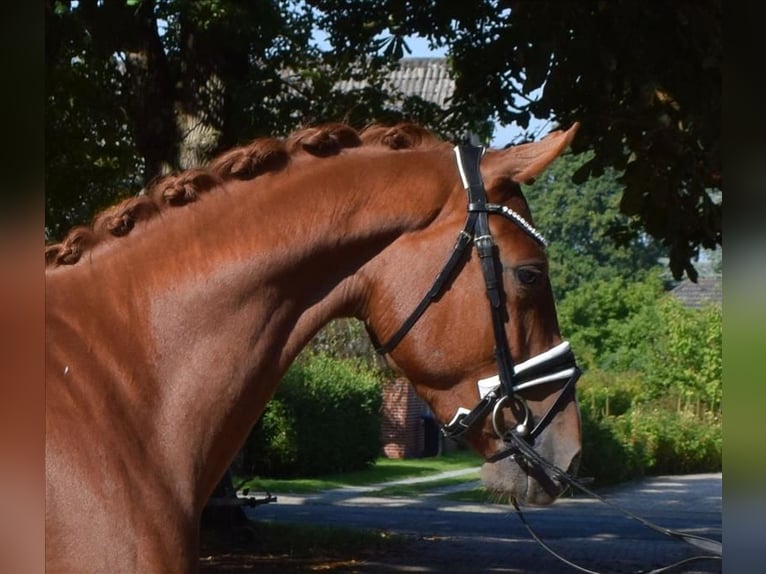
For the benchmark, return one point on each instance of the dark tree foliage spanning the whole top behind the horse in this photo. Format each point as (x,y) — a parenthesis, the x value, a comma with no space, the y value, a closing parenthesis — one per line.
(164,83)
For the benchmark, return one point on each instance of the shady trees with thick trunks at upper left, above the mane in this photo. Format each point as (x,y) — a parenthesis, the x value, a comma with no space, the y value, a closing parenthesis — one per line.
(138,88)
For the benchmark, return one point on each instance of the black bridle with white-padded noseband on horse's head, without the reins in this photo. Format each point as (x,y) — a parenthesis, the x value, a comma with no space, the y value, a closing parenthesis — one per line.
(556,364)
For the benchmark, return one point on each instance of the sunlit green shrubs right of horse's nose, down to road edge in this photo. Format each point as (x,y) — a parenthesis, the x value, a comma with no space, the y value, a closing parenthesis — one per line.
(651,394)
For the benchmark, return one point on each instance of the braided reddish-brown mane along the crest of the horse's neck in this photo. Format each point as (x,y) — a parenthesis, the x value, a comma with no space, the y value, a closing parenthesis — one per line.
(263,155)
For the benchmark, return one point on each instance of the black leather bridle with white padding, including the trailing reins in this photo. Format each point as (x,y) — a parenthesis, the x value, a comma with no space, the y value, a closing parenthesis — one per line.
(556,364)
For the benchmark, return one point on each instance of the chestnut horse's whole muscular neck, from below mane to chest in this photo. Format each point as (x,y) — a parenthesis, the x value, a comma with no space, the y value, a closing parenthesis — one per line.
(227,294)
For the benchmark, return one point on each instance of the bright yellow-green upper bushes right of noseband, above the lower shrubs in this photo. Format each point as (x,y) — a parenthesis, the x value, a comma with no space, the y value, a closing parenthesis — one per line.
(636,327)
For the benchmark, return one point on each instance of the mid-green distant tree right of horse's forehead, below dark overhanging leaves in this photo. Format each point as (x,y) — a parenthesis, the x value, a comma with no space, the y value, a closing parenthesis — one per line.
(589,240)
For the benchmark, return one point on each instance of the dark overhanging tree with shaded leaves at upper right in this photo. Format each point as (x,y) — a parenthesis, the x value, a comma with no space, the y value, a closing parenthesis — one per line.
(642,78)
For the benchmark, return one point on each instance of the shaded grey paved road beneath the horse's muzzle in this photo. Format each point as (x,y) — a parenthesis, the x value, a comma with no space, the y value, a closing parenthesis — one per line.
(455,537)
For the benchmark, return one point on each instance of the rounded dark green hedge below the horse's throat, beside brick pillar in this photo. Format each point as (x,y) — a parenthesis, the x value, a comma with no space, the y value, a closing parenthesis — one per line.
(324,418)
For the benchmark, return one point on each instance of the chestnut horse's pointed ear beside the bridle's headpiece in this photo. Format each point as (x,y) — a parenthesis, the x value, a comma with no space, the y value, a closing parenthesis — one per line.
(522,163)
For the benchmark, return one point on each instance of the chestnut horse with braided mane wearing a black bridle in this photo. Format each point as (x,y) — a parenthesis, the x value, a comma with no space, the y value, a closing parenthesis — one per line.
(172,316)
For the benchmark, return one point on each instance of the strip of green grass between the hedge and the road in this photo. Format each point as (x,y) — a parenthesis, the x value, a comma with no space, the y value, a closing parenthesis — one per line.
(383,470)
